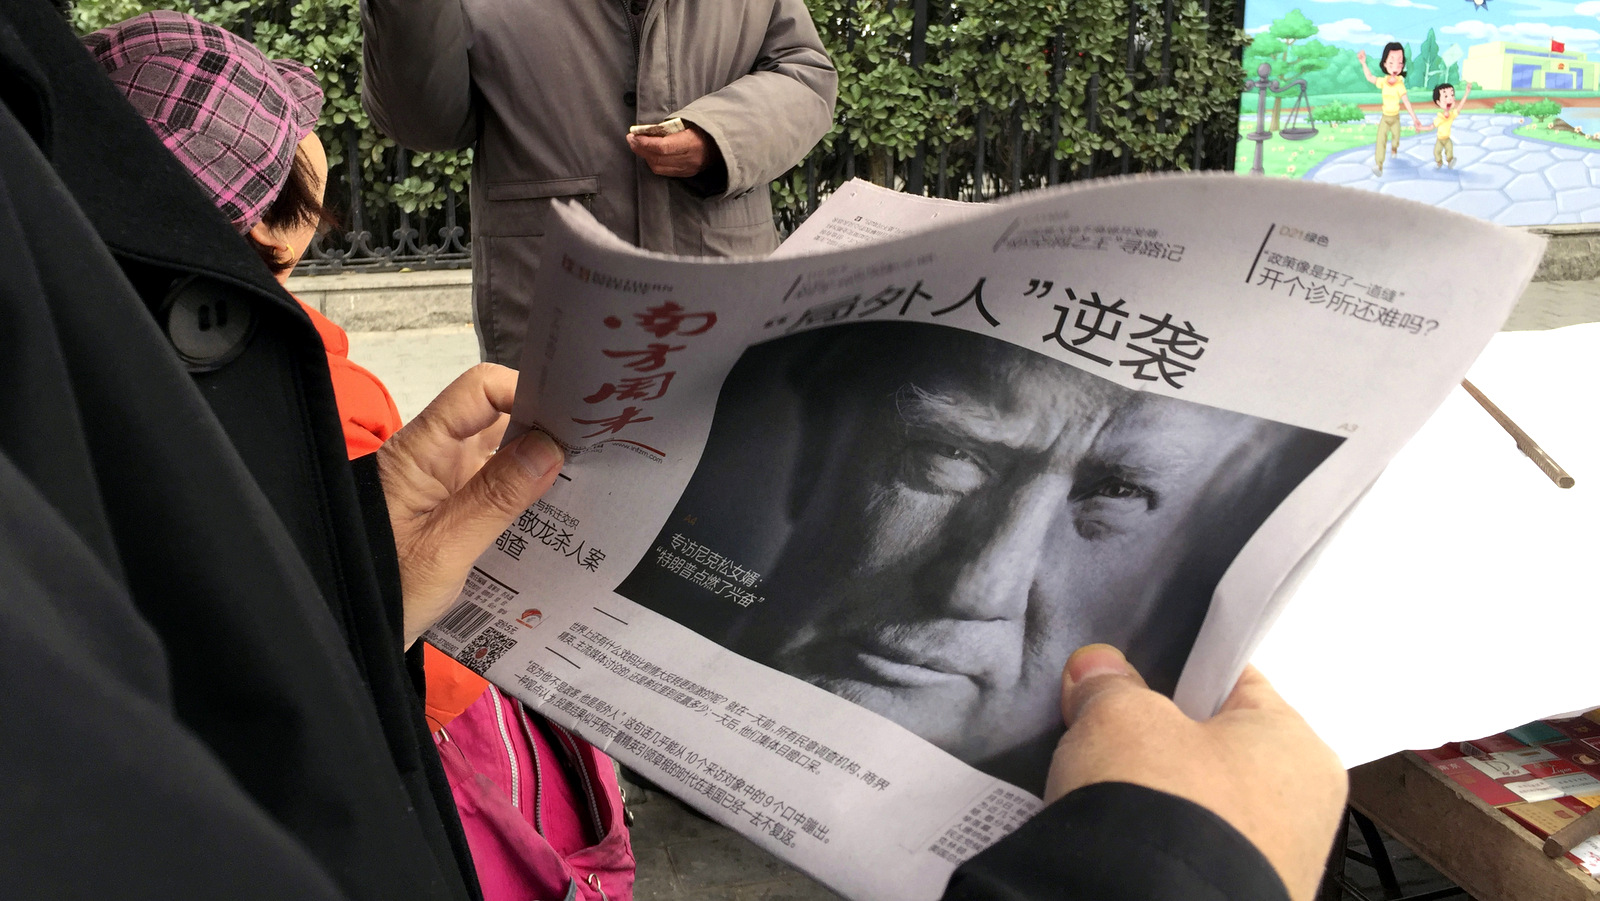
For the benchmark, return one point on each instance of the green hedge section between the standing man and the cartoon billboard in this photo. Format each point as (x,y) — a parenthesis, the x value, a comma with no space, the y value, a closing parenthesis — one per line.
(998,57)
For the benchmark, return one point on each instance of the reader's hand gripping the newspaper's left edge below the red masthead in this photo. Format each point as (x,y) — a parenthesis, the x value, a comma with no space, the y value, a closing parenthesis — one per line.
(450,495)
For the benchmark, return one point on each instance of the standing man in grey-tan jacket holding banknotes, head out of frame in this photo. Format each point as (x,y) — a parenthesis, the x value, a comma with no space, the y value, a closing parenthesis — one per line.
(548,90)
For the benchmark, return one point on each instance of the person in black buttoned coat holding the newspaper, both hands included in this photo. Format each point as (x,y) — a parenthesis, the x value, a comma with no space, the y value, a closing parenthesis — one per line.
(207,607)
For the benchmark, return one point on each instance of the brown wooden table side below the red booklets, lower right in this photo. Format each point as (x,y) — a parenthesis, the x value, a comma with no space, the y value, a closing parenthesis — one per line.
(1478,847)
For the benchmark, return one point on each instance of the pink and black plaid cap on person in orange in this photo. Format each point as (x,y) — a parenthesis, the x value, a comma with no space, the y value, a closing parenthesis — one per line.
(230,114)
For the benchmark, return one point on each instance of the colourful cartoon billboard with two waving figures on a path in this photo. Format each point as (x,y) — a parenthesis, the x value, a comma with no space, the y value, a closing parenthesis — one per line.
(1489,108)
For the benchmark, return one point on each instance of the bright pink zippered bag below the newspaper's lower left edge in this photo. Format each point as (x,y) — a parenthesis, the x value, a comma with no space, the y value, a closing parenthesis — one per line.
(502,769)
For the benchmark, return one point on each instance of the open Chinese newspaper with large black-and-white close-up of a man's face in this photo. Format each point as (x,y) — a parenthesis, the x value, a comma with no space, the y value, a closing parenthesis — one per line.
(833,521)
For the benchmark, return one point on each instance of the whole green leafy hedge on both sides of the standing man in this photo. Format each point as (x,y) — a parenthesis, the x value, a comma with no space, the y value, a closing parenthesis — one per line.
(983,55)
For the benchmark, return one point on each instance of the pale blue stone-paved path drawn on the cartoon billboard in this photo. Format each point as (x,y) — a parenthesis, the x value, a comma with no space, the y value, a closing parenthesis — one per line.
(1500,177)
